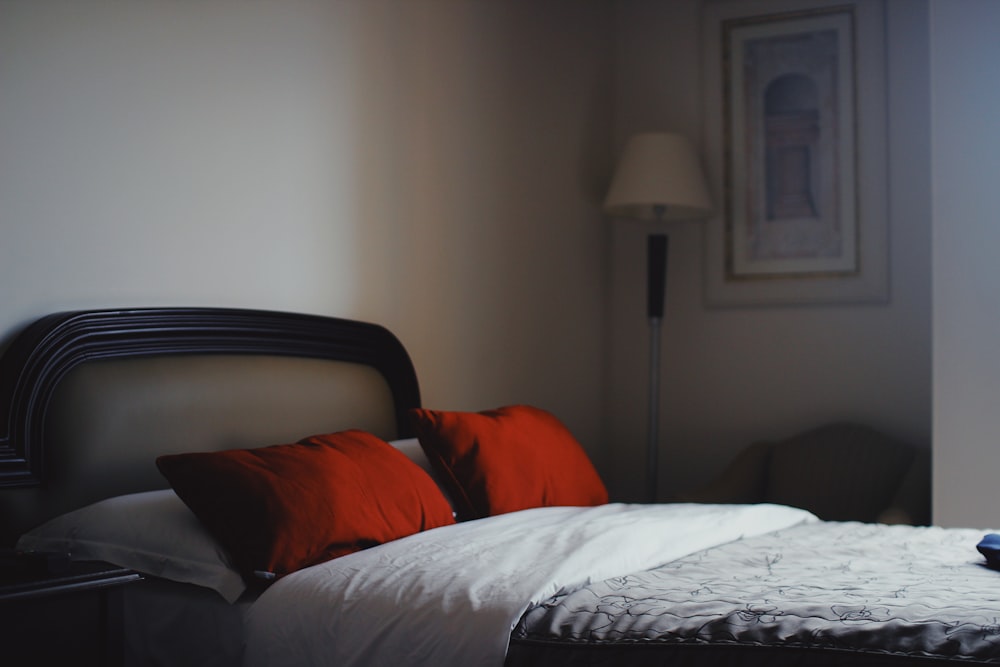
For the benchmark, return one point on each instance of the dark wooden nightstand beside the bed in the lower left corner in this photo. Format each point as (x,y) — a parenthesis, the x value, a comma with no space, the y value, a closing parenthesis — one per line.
(70,616)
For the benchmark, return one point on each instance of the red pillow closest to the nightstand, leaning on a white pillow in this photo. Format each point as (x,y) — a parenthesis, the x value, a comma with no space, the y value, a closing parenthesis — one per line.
(281,508)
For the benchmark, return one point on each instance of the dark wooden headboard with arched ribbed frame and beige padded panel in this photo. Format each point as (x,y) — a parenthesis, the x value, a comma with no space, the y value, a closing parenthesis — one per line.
(89,398)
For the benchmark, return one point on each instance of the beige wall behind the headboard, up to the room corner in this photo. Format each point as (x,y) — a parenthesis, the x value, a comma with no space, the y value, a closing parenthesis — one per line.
(433,166)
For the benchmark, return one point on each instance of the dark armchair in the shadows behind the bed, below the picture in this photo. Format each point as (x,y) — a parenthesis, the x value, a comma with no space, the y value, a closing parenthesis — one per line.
(840,472)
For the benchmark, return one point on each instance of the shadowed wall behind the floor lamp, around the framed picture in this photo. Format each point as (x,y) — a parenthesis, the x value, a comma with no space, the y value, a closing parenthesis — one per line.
(731,376)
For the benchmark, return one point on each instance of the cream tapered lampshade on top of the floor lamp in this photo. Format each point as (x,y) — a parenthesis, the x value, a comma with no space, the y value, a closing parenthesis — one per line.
(658,169)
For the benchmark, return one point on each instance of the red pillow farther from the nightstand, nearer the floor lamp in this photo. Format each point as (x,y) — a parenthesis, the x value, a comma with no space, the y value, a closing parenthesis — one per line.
(508,459)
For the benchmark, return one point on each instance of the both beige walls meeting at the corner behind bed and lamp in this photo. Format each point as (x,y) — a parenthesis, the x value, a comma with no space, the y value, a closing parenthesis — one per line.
(436,166)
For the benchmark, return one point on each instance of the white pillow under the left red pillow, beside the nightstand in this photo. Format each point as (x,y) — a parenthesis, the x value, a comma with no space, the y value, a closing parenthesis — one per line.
(152,532)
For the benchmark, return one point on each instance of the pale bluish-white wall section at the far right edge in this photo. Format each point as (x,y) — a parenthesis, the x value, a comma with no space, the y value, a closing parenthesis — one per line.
(965,98)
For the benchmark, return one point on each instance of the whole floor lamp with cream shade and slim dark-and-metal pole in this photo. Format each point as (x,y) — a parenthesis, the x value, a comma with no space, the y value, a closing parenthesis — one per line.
(658,178)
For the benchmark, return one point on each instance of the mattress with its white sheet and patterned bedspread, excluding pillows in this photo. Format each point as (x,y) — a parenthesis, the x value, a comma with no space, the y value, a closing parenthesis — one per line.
(615,584)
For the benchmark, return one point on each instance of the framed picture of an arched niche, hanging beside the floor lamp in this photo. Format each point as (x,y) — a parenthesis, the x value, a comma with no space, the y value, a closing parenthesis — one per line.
(796,138)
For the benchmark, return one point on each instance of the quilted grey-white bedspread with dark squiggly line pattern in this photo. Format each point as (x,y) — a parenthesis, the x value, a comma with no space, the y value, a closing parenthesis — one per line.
(898,592)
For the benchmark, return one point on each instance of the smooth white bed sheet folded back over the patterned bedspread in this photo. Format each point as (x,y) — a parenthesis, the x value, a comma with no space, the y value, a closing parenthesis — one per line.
(451,596)
